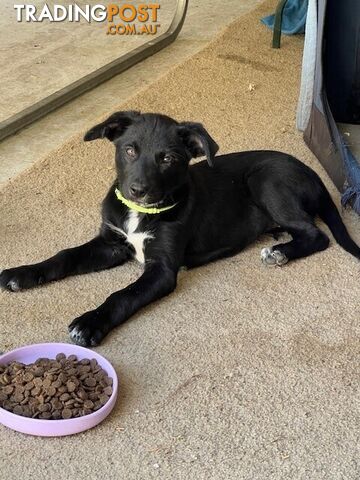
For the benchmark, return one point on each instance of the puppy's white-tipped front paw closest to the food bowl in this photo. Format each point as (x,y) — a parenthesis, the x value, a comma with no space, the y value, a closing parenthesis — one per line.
(89,329)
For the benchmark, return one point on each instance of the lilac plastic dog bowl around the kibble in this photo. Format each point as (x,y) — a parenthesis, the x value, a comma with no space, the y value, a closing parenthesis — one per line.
(57,428)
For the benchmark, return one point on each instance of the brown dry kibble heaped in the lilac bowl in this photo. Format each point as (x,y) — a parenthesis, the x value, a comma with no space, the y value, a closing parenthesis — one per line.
(55,389)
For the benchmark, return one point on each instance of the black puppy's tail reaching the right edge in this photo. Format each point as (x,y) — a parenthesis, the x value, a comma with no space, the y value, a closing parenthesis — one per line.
(329,213)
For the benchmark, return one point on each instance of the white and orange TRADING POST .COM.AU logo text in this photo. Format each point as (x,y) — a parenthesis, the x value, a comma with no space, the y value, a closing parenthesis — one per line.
(121,18)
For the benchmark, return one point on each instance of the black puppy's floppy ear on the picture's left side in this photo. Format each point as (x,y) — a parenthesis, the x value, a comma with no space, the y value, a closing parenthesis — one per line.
(113,127)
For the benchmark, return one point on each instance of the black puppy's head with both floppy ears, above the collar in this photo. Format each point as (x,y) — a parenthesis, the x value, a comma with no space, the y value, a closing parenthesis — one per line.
(153,153)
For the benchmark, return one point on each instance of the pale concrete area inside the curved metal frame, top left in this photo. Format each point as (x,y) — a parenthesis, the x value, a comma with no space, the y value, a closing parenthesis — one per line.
(46,57)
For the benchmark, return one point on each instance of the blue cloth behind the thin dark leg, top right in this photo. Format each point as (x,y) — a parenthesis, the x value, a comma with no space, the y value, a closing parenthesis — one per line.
(294,17)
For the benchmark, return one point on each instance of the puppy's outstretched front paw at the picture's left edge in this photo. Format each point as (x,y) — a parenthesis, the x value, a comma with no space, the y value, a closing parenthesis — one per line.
(20,278)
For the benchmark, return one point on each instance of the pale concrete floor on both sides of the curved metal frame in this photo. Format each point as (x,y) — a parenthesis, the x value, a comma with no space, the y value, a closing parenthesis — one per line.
(204,20)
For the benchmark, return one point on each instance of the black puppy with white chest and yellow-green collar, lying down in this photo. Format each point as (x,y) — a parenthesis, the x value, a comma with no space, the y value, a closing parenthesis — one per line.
(167,215)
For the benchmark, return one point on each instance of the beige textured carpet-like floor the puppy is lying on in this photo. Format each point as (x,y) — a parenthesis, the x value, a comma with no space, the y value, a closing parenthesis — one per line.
(243,372)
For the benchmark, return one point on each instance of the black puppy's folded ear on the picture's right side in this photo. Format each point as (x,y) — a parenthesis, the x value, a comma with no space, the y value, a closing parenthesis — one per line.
(198,141)
